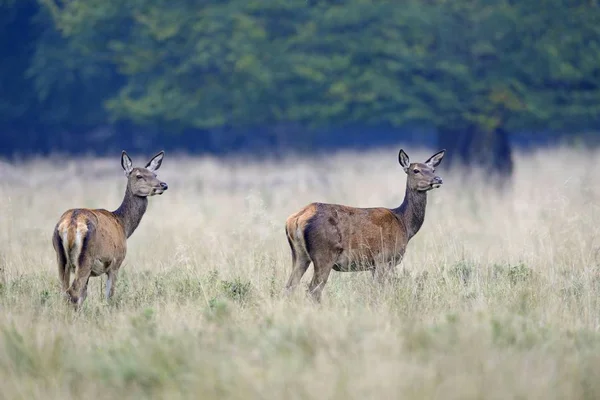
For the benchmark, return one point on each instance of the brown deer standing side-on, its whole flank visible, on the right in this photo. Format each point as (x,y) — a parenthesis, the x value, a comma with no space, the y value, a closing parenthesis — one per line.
(345,239)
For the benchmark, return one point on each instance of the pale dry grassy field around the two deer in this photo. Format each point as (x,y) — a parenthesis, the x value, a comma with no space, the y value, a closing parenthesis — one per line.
(498,296)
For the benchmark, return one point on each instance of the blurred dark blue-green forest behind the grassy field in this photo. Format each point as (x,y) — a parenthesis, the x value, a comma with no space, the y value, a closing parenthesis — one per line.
(477,77)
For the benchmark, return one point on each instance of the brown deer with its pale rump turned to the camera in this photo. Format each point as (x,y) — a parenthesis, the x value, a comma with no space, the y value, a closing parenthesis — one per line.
(94,242)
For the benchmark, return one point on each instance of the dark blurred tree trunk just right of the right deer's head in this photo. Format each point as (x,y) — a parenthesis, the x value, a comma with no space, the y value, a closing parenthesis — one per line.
(472,148)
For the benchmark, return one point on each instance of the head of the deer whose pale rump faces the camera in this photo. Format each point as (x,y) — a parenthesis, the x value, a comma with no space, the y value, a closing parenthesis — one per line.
(143,182)
